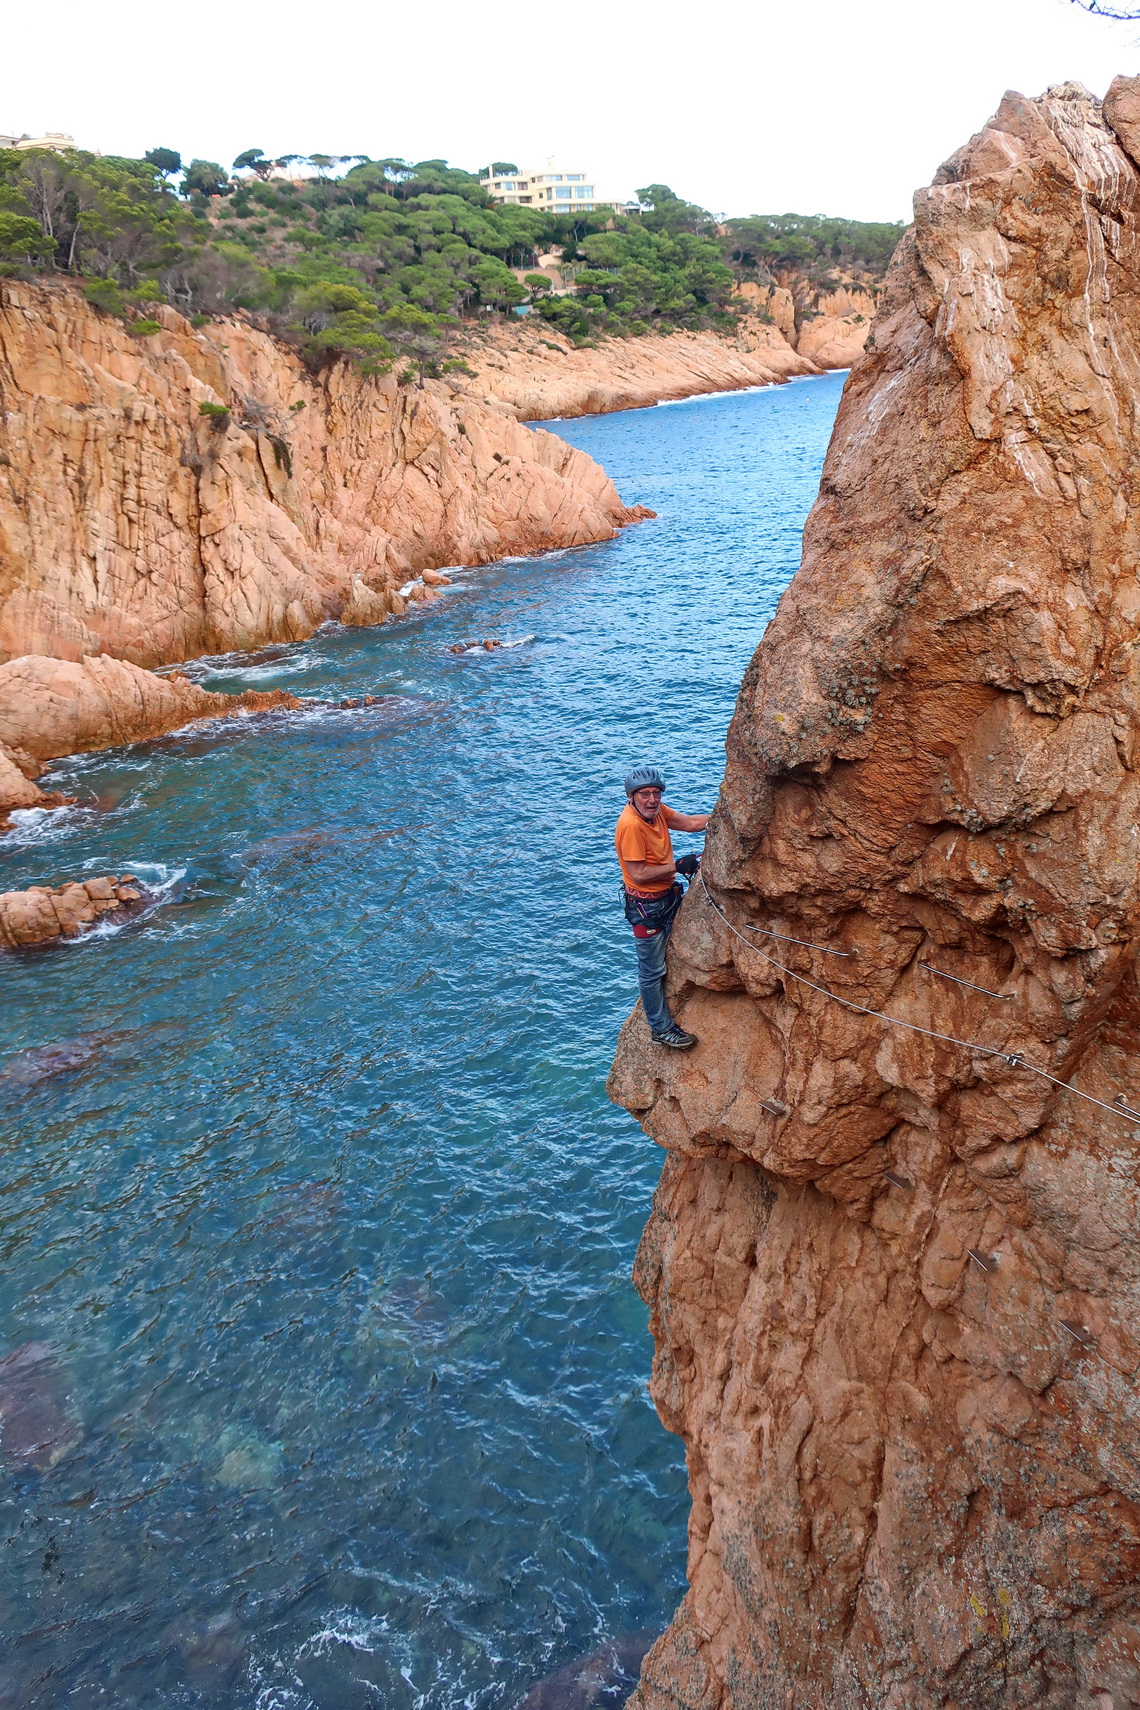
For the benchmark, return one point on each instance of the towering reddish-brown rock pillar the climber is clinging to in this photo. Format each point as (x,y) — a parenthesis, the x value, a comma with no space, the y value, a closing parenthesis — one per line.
(895,1280)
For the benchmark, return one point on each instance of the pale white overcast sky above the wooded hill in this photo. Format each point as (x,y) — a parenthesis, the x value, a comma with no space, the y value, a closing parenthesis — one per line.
(744,107)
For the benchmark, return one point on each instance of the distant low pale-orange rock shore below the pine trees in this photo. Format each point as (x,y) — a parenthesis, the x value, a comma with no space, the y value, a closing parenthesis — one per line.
(538,374)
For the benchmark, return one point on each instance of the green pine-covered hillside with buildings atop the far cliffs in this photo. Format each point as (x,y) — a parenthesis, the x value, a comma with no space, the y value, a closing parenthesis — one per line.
(382,262)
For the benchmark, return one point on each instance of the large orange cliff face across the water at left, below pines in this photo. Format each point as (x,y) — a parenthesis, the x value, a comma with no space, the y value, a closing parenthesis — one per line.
(132,524)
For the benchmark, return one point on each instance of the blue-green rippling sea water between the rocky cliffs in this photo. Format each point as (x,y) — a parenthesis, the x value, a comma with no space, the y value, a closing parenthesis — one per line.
(320,1213)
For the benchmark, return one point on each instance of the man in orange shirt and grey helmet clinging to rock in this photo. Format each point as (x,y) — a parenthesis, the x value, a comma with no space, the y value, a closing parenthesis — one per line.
(652,893)
